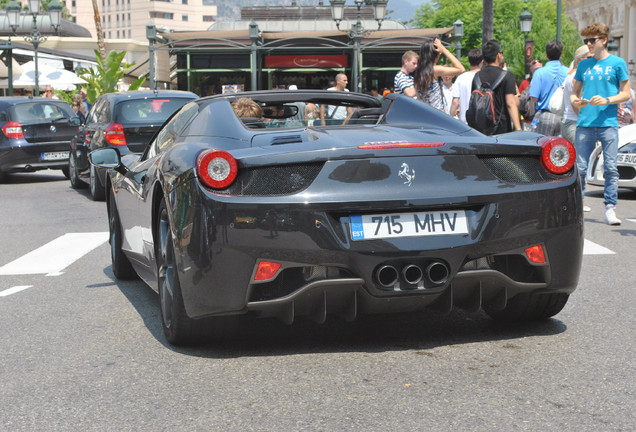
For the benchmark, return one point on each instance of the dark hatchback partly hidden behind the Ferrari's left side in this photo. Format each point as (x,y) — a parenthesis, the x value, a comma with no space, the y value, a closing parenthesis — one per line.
(126,121)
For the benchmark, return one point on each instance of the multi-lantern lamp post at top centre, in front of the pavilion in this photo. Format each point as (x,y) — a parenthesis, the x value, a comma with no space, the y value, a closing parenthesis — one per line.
(357,31)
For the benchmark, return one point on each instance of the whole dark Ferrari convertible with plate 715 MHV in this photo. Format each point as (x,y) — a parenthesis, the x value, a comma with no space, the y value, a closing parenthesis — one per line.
(382,207)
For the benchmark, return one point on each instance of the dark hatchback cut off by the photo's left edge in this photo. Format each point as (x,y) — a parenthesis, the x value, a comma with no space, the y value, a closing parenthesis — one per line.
(36,133)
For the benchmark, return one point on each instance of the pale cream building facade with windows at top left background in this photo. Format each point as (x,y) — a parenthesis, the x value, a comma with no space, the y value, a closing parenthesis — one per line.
(127,19)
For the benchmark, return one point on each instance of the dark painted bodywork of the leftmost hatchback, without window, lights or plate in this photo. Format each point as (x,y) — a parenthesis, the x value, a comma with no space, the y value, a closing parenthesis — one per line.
(40,136)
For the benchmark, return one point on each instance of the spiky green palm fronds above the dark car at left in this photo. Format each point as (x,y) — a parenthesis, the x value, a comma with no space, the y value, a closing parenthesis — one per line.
(105,77)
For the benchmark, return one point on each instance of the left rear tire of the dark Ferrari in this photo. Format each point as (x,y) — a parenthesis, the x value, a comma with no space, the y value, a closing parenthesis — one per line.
(178,328)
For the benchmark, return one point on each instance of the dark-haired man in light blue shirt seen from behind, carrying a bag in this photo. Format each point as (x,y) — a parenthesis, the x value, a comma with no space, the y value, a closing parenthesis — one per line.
(544,83)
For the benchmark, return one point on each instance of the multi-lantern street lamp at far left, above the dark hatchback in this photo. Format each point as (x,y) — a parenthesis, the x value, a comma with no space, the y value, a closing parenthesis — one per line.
(35,37)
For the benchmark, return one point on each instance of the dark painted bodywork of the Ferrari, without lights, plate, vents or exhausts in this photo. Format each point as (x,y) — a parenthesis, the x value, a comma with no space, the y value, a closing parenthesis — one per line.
(217,257)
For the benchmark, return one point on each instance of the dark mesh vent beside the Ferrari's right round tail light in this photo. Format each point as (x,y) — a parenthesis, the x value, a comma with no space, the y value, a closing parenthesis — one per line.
(519,169)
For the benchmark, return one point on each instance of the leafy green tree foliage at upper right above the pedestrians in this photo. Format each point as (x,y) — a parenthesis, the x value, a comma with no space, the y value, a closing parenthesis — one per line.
(443,13)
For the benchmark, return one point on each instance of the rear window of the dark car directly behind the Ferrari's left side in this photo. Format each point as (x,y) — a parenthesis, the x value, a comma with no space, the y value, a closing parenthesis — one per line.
(147,110)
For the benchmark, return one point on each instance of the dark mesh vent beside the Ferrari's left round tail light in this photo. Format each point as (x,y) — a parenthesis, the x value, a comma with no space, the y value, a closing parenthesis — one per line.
(274,180)
